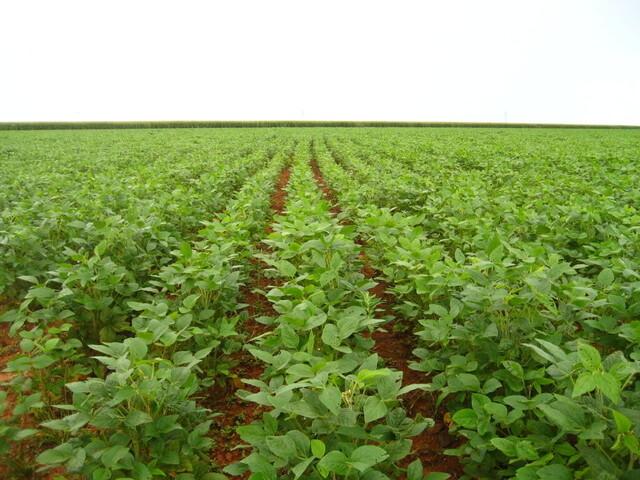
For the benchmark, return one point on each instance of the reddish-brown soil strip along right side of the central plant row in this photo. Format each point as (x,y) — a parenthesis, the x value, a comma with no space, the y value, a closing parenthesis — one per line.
(395,345)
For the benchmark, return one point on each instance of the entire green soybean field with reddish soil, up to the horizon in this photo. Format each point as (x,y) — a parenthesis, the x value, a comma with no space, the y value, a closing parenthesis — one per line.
(320,303)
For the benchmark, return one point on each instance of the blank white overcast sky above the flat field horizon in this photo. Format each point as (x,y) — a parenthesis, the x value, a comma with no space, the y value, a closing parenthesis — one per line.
(575,61)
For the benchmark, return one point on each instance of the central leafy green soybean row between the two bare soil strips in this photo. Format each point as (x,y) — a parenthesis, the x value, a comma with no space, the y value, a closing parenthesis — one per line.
(333,409)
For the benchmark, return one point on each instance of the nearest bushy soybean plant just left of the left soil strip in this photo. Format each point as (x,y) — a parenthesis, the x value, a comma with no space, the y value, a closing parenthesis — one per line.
(141,421)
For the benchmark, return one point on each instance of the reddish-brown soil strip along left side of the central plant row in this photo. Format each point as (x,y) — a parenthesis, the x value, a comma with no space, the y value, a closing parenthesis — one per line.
(231,410)
